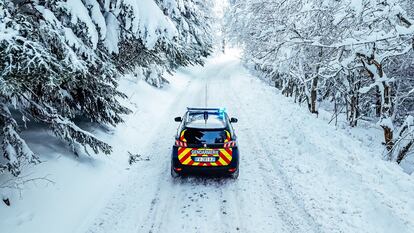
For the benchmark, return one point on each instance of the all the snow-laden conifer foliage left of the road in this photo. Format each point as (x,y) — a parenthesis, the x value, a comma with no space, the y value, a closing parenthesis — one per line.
(61,59)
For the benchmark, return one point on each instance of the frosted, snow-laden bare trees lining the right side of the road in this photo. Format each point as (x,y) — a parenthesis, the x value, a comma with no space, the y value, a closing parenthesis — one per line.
(353,57)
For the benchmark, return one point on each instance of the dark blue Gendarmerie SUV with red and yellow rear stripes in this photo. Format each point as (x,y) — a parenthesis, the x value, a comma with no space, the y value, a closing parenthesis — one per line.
(205,144)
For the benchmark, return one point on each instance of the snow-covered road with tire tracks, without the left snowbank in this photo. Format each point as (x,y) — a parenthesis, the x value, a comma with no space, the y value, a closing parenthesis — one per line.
(298,174)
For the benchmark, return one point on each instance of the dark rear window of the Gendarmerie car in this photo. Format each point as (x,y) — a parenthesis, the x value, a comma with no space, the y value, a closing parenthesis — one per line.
(202,136)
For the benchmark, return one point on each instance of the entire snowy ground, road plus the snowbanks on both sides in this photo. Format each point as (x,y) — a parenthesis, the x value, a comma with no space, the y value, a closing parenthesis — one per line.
(297,172)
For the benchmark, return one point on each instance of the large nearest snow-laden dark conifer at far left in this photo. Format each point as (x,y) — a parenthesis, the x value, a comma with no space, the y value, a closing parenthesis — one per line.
(51,75)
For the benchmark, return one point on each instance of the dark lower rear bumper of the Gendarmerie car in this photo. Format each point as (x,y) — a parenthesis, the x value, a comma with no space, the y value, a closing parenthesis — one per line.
(210,170)
